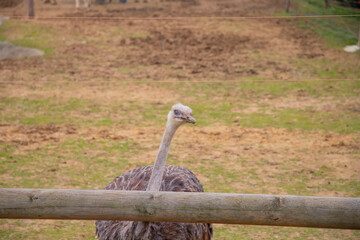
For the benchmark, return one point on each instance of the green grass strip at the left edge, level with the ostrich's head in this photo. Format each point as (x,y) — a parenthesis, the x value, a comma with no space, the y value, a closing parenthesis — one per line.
(40,111)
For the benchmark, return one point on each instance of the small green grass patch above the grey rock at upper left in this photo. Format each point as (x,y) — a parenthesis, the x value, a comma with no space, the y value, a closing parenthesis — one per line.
(28,34)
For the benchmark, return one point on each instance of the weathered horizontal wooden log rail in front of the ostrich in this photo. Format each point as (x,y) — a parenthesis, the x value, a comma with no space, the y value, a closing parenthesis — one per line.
(249,209)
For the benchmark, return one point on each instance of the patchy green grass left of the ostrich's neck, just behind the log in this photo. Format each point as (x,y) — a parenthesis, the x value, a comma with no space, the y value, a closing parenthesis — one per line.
(67,164)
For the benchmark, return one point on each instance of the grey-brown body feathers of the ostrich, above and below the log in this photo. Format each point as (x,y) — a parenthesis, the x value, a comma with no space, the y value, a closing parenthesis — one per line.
(176,179)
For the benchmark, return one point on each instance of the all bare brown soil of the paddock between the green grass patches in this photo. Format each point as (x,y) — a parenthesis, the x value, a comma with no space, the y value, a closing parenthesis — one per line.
(102,55)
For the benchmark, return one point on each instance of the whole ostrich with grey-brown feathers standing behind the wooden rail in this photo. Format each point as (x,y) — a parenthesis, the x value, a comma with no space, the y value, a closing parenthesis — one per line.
(158,178)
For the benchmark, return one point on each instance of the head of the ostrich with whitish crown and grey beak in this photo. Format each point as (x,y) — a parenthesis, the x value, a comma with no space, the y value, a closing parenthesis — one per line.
(180,114)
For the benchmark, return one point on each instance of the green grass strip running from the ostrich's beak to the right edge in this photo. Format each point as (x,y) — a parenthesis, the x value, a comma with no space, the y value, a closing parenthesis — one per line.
(290,118)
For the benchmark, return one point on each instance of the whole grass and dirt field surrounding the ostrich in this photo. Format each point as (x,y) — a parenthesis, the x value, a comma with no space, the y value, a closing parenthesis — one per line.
(278,110)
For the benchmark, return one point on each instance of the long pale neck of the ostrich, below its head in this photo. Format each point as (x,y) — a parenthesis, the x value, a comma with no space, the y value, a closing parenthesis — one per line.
(160,162)
